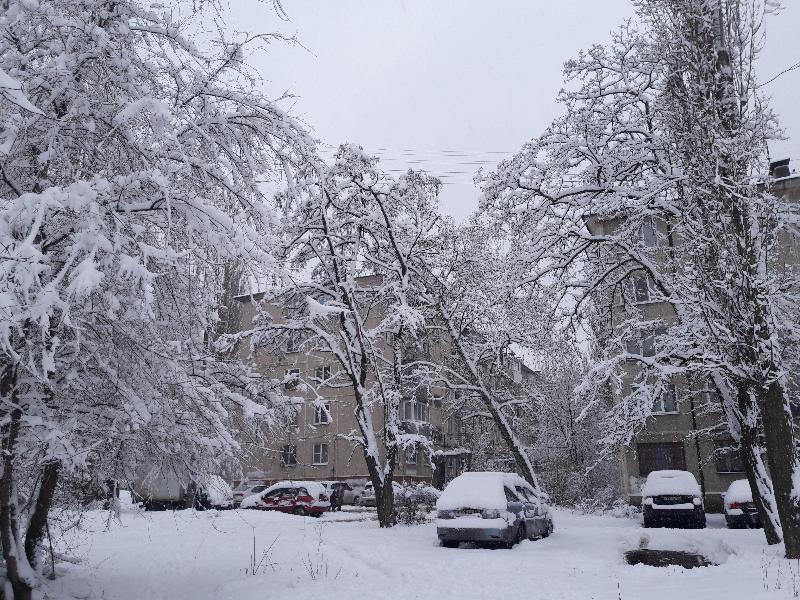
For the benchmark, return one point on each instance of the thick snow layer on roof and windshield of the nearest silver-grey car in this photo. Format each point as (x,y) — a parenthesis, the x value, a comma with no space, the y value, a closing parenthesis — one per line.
(480,490)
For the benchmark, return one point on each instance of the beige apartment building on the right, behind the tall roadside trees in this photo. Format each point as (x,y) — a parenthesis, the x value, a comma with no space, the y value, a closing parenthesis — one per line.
(687,430)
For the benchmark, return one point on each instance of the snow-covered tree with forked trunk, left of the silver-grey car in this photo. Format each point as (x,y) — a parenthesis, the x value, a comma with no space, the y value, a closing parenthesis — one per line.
(357,240)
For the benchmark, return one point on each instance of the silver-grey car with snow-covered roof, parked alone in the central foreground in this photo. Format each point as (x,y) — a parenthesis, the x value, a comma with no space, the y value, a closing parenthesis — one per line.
(493,508)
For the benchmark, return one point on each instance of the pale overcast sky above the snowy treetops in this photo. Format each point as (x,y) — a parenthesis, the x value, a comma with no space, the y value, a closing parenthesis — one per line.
(452,85)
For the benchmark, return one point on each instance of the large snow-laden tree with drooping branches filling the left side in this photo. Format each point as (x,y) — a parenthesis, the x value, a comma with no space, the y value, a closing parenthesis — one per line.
(130,172)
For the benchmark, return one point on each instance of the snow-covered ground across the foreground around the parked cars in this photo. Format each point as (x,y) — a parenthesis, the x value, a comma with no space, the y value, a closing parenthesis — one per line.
(210,555)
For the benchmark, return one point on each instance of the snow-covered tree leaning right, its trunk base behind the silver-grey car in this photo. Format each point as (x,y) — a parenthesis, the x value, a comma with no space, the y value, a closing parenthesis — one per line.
(468,299)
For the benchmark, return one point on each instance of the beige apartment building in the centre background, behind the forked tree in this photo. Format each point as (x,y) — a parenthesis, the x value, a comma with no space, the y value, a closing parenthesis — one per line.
(314,445)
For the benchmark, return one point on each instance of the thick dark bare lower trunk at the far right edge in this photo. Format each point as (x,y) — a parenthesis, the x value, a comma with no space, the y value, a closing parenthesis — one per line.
(783,461)
